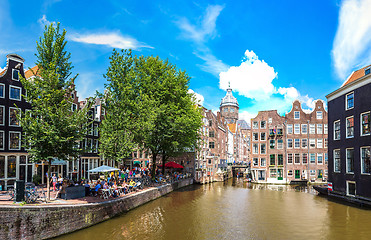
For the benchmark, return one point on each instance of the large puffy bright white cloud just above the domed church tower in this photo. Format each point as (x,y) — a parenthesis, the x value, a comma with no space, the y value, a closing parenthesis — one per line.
(252,79)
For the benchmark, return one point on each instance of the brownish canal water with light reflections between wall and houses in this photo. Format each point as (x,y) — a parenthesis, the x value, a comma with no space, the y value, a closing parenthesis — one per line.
(236,210)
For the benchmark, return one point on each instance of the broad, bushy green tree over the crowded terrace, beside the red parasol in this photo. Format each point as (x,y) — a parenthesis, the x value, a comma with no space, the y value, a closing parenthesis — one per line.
(161,115)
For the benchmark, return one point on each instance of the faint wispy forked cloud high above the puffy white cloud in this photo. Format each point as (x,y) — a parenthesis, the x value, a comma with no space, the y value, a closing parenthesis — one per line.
(199,34)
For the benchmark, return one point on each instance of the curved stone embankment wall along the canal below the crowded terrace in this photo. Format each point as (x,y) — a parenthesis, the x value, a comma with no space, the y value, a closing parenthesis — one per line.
(40,222)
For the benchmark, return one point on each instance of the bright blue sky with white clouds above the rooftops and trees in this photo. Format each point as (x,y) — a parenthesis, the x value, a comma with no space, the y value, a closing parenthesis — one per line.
(272,52)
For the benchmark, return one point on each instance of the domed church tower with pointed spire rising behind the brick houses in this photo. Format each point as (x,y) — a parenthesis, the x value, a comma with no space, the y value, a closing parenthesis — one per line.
(229,107)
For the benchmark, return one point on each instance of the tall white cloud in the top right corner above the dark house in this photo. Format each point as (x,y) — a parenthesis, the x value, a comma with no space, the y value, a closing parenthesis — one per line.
(352,44)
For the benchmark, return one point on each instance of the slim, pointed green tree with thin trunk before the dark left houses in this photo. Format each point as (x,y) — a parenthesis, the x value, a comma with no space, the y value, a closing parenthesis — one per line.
(51,129)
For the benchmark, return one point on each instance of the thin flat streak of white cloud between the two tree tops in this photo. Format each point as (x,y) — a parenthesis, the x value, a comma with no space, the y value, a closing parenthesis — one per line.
(115,40)
